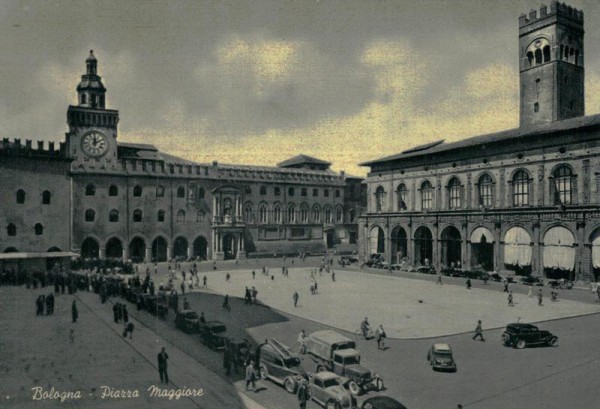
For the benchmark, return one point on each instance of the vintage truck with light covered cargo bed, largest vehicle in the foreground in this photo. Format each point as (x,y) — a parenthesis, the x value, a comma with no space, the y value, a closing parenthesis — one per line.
(336,353)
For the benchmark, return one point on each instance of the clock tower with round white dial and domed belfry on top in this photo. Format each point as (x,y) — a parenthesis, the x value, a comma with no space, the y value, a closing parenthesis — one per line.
(92,135)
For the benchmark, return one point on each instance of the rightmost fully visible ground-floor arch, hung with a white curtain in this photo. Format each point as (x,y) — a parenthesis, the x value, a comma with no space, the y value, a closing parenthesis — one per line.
(559,253)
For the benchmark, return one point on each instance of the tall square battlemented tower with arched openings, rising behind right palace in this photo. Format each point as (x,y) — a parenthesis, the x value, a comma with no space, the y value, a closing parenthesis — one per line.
(551,64)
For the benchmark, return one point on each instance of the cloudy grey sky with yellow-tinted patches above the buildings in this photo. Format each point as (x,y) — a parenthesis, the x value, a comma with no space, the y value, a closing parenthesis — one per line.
(257,81)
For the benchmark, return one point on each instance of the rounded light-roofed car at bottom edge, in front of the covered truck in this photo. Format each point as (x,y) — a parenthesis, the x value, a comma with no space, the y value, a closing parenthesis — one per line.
(326,389)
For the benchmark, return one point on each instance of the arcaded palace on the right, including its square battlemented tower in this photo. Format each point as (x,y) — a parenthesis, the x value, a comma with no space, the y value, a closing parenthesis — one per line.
(526,199)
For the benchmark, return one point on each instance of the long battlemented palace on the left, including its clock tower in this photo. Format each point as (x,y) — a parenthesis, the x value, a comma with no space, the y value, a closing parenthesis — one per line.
(102,198)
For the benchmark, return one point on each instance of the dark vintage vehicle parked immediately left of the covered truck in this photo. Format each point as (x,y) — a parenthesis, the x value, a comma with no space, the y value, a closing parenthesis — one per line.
(277,363)
